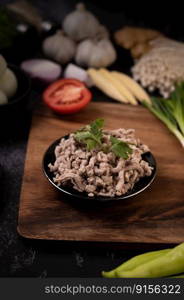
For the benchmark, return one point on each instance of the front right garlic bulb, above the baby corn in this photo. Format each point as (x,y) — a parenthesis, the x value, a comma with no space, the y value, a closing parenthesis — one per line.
(95,53)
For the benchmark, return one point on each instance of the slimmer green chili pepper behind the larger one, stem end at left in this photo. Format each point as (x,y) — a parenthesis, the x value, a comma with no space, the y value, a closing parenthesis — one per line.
(135,262)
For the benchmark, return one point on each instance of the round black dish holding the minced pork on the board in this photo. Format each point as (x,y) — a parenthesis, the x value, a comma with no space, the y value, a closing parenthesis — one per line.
(140,186)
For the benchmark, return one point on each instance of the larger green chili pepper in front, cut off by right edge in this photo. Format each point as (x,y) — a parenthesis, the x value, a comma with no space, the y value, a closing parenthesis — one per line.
(166,265)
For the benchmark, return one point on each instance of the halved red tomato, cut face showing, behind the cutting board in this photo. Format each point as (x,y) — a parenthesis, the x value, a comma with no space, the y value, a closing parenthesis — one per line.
(67,96)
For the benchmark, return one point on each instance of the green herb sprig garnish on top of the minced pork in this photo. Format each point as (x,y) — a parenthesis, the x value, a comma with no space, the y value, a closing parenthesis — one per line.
(91,136)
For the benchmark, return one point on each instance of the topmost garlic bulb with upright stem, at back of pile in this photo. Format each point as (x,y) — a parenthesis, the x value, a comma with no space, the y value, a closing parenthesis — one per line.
(80,24)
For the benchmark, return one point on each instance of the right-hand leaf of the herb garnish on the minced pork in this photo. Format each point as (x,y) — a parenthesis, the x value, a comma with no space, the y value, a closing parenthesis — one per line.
(120,148)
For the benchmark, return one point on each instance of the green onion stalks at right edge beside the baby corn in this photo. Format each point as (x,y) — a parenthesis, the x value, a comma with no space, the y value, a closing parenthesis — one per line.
(171,111)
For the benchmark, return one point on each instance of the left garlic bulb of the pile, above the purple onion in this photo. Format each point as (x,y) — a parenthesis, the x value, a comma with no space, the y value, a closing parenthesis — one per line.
(59,47)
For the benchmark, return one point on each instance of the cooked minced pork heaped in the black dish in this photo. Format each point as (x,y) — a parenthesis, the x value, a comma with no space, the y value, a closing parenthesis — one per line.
(98,173)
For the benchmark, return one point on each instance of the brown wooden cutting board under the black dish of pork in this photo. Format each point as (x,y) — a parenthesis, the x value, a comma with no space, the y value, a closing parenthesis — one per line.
(154,216)
